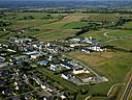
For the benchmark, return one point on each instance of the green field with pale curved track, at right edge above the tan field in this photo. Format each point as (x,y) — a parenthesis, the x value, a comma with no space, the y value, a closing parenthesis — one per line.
(120,38)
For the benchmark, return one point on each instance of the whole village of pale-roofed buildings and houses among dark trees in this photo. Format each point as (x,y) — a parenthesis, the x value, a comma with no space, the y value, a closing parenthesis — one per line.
(20,57)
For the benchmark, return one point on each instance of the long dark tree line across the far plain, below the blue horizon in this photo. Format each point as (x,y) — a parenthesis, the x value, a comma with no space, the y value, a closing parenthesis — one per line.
(83,10)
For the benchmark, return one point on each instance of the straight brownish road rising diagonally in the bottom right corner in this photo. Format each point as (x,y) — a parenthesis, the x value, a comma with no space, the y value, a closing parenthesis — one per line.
(128,90)
